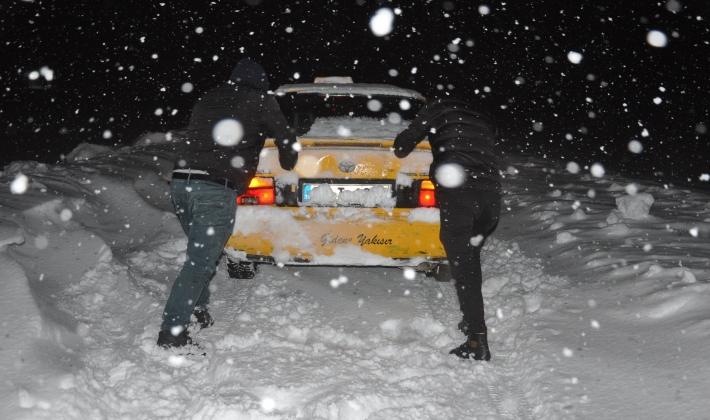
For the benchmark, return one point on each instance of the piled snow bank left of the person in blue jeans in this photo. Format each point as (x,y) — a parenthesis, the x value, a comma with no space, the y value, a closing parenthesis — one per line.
(72,220)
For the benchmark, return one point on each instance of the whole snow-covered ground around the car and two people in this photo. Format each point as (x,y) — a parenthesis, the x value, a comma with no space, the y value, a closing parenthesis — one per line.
(596,309)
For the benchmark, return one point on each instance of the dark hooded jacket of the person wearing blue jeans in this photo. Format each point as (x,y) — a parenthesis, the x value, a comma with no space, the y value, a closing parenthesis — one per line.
(233,154)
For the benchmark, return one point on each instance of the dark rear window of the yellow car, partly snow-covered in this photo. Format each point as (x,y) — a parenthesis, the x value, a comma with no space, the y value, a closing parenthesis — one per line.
(302,110)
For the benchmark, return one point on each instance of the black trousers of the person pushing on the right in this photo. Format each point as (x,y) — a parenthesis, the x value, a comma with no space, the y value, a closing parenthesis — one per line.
(468,216)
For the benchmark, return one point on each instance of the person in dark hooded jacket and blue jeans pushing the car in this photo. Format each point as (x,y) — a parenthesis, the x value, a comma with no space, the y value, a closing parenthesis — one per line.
(213,167)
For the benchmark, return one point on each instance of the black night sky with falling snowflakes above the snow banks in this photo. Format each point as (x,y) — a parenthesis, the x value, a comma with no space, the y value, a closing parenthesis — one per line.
(105,77)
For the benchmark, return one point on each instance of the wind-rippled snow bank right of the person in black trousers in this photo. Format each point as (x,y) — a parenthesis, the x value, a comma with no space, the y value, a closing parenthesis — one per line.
(635,277)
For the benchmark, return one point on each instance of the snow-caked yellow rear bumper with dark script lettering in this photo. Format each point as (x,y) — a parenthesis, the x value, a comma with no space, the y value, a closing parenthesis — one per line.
(336,236)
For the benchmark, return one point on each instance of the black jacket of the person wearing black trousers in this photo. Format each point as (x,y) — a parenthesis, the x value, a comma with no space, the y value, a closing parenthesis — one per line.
(457,134)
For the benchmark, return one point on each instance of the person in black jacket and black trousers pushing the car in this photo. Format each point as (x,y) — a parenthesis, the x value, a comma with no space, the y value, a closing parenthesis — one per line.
(467,180)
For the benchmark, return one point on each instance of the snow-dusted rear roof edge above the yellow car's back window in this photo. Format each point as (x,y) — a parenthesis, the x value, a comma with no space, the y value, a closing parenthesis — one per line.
(363,89)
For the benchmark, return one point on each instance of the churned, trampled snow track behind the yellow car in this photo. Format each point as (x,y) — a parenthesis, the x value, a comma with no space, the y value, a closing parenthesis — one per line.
(374,347)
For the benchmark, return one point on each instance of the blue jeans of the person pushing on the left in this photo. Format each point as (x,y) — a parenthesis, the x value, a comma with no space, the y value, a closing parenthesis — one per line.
(206,211)
